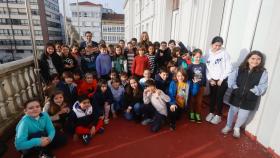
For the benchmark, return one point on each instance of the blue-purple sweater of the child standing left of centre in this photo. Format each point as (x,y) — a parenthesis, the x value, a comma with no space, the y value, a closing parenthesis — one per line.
(103,64)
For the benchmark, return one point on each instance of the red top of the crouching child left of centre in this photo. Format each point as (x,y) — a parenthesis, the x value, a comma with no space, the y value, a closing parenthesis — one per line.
(87,88)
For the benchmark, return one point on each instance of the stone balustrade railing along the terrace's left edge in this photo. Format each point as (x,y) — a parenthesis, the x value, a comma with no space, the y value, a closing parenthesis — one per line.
(18,84)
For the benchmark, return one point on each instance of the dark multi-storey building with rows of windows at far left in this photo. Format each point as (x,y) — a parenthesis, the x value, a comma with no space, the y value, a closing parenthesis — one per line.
(15,39)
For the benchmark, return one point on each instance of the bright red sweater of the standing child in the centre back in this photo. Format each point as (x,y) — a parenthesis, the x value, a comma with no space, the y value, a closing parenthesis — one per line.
(140,63)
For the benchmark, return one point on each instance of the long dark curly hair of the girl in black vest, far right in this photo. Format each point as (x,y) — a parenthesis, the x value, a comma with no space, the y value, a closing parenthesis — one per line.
(245,65)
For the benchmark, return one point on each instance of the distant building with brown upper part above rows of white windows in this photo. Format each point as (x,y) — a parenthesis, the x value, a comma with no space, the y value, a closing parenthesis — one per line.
(112,28)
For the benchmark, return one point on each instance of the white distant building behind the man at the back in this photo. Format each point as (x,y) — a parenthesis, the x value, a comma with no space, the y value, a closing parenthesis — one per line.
(88,19)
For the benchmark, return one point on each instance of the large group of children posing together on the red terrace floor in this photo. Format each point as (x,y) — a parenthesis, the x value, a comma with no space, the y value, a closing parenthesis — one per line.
(151,83)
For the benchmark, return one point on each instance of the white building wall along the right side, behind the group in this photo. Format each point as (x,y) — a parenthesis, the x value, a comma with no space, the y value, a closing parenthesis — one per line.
(244,25)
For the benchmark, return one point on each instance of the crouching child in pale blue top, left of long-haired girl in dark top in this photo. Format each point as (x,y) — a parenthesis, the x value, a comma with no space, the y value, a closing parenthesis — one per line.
(118,96)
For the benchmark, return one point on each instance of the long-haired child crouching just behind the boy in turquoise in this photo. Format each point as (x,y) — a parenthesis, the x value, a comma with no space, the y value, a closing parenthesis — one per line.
(58,109)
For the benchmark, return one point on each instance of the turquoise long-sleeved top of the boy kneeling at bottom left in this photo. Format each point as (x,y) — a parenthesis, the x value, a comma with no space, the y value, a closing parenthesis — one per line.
(28,126)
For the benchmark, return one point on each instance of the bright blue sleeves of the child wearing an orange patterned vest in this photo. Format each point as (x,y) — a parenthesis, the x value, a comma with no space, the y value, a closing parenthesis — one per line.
(193,90)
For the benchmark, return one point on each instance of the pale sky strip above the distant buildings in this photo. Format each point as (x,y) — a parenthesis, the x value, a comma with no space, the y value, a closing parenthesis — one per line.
(116,5)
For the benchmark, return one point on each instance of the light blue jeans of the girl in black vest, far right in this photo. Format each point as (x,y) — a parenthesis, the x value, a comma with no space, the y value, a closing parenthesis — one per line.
(241,117)
